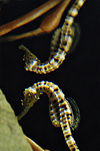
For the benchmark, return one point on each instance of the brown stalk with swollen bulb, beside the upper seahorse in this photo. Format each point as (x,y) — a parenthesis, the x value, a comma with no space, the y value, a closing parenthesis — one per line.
(50,22)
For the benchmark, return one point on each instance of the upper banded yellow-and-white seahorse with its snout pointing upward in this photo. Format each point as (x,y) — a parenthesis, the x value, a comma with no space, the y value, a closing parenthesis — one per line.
(65,36)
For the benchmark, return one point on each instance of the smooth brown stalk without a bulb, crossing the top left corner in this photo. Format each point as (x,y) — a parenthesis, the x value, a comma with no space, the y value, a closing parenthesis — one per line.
(4,29)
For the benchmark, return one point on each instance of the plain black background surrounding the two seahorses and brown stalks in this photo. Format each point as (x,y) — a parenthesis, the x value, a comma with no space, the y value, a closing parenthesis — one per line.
(78,76)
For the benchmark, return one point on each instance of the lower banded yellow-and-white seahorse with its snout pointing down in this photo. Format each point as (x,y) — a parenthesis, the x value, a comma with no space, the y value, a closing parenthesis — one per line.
(60,109)
